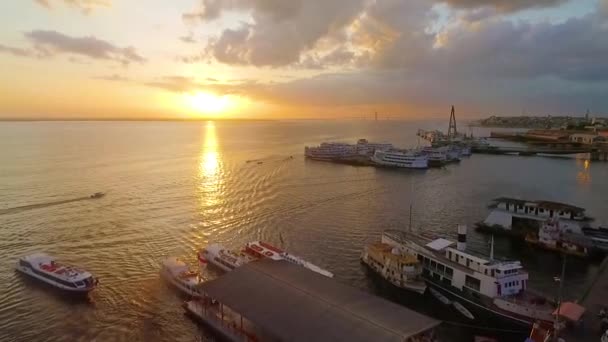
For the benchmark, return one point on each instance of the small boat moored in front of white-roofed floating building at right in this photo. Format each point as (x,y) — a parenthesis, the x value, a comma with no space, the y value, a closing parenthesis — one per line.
(551,238)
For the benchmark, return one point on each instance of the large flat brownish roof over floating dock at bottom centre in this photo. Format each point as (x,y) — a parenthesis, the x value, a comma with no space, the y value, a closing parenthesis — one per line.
(267,291)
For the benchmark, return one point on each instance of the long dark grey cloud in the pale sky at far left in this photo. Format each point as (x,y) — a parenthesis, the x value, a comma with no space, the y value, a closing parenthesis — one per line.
(50,43)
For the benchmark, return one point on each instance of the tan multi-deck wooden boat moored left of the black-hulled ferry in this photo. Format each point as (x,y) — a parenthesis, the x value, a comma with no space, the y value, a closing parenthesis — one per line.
(400,269)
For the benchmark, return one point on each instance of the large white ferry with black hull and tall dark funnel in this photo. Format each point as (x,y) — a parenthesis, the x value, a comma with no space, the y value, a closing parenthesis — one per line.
(489,291)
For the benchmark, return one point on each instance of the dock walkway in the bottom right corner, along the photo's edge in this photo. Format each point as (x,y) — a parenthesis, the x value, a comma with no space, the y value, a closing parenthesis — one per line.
(593,299)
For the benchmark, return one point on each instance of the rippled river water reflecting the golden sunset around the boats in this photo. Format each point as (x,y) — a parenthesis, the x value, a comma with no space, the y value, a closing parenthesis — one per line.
(173,187)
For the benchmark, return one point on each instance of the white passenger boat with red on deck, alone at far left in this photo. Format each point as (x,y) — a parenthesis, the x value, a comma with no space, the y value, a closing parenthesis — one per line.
(45,268)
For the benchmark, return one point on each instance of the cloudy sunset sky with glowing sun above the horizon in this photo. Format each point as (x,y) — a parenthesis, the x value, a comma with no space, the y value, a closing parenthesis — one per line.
(267,59)
